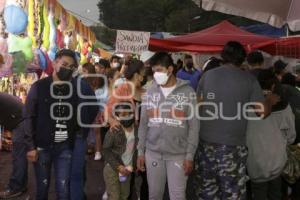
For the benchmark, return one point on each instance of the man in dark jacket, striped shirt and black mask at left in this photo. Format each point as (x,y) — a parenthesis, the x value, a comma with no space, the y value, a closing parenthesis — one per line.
(51,125)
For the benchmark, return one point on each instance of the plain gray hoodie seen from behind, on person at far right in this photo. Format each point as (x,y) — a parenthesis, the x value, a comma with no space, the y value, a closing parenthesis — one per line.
(267,141)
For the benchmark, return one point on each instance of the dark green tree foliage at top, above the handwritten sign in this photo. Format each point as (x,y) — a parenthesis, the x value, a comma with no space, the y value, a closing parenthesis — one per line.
(148,15)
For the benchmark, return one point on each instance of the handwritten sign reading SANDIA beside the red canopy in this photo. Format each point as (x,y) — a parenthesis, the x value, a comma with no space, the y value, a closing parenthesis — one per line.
(132,41)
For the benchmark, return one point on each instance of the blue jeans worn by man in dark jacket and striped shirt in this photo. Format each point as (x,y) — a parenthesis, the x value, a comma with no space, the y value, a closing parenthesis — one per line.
(60,156)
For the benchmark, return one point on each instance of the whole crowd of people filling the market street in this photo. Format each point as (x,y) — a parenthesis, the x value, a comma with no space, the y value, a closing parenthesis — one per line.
(164,130)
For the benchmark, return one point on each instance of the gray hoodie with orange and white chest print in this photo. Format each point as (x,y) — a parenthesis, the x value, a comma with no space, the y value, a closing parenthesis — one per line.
(169,127)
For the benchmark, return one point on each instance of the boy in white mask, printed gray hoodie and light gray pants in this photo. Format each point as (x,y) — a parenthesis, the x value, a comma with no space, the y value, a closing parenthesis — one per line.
(168,132)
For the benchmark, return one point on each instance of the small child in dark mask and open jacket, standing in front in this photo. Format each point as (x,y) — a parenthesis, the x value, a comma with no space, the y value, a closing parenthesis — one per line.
(119,151)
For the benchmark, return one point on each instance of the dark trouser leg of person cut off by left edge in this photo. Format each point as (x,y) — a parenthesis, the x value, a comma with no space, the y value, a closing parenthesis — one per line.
(18,178)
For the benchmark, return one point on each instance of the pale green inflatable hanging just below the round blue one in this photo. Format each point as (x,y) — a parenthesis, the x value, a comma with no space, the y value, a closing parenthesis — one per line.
(23,44)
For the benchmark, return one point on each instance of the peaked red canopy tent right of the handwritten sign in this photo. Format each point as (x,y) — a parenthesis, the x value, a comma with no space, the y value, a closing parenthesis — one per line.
(211,40)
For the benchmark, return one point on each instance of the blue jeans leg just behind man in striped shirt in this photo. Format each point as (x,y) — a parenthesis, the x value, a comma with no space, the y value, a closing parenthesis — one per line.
(78,169)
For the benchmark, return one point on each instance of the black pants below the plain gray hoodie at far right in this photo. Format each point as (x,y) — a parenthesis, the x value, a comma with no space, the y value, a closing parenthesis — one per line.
(271,190)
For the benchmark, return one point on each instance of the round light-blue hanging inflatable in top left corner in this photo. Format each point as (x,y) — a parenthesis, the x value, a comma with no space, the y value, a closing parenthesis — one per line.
(13,14)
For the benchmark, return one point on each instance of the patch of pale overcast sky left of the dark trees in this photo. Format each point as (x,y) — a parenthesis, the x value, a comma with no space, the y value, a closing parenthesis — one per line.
(86,10)
